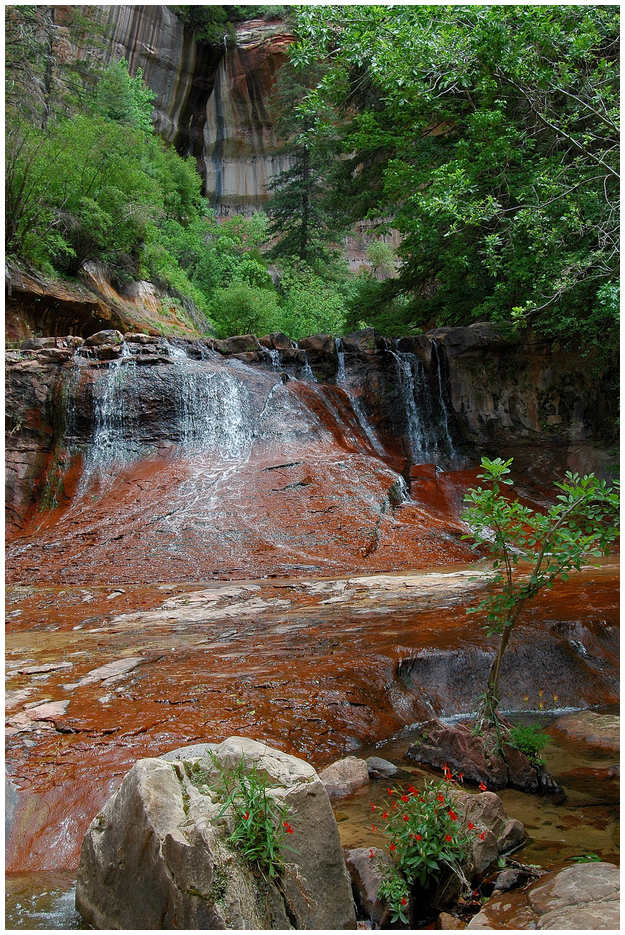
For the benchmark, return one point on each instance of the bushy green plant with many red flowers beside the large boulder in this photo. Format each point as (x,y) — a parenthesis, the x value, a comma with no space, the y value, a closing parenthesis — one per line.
(426,838)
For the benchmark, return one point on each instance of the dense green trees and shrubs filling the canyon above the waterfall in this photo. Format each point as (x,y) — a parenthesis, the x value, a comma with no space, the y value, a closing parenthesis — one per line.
(486,137)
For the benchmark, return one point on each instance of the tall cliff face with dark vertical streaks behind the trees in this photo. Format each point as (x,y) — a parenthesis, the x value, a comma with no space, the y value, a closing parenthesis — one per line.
(212,102)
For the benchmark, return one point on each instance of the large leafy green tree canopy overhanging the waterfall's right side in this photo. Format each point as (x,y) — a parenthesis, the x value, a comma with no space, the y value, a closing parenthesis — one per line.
(488,137)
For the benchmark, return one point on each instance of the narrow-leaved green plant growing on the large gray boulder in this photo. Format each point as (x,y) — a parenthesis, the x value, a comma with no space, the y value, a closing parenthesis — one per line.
(261,824)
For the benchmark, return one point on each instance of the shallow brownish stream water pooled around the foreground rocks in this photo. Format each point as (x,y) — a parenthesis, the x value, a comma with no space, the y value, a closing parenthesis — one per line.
(586,824)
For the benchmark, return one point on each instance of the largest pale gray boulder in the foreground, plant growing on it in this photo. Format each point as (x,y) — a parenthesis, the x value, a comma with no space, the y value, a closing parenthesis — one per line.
(157,856)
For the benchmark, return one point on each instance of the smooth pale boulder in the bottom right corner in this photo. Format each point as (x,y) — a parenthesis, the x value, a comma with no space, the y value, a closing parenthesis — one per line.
(585,896)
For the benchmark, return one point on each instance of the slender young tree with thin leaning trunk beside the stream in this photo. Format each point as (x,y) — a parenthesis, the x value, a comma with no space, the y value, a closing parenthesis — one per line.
(547,546)
